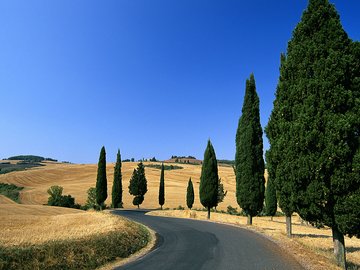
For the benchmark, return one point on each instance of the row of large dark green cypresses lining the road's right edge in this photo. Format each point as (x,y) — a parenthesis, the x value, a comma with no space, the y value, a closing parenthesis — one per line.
(314,133)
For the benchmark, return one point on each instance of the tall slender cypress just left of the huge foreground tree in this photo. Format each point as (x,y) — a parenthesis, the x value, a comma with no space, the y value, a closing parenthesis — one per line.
(249,161)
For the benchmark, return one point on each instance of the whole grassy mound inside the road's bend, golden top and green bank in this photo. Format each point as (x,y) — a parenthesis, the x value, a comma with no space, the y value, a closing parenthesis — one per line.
(78,240)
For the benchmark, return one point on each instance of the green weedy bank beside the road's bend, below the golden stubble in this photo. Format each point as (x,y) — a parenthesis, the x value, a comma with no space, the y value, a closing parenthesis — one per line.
(88,253)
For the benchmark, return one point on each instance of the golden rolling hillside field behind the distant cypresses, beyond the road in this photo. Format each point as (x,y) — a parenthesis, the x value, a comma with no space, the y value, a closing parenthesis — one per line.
(77,179)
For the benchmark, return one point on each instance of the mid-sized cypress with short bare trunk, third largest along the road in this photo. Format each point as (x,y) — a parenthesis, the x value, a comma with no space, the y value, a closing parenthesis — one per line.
(209,179)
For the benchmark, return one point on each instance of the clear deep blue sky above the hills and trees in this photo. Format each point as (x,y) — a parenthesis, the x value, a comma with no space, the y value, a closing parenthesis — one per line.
(151,77)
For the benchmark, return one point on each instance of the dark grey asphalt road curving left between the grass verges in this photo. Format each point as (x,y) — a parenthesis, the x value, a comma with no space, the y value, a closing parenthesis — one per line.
(185,244)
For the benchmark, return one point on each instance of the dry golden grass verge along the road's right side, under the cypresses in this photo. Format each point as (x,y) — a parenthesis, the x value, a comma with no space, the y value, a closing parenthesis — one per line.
(312,247)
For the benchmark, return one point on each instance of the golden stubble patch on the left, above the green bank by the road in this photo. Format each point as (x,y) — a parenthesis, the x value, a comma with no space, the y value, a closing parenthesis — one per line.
(37,224)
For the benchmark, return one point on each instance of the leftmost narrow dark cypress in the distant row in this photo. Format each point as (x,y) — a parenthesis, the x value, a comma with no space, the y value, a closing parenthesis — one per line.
(101,181)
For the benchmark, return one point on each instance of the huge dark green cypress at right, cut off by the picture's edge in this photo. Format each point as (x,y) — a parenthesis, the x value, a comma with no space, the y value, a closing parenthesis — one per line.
(316,118)
